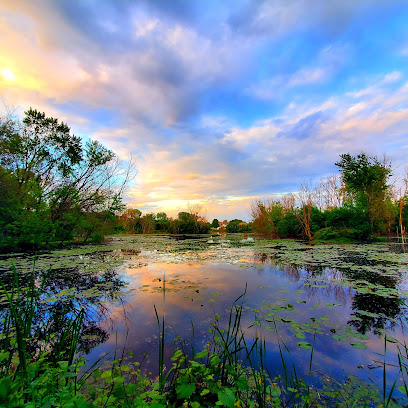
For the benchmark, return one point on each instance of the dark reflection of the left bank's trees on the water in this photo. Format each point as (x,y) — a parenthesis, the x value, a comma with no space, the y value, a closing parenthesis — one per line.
(64,292)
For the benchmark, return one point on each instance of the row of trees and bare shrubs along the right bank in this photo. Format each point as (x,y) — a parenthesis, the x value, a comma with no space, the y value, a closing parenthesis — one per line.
(356,204)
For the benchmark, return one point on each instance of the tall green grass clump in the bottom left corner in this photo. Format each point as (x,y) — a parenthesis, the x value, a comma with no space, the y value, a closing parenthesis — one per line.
(33,370)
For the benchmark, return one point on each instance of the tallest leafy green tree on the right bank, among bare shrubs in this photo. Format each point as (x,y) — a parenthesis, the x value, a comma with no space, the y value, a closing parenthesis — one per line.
(366,183)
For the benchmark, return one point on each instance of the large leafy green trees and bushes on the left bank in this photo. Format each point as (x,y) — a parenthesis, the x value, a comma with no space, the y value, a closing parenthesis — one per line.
(54,186)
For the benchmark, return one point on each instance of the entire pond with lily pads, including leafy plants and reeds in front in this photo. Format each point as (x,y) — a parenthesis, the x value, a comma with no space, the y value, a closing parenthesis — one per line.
(228,320)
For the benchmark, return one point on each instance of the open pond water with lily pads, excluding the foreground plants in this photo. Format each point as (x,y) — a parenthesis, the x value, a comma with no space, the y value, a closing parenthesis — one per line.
(339,301)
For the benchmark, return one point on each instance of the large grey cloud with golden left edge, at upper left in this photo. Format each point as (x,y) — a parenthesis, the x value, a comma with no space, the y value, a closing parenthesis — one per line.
(114,55)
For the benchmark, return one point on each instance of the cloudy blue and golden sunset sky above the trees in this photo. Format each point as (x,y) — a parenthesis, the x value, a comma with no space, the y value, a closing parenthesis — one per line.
(218,102)
